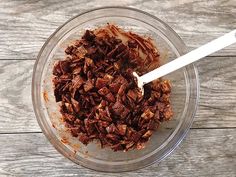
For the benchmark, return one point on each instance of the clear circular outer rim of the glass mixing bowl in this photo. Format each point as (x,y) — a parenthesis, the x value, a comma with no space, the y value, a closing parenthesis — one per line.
(174,140)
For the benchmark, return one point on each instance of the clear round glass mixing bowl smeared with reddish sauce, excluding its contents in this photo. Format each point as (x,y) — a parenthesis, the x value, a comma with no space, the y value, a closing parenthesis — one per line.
(184,97)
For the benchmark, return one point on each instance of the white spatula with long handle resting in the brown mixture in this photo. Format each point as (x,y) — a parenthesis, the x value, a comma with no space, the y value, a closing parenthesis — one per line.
(187,59)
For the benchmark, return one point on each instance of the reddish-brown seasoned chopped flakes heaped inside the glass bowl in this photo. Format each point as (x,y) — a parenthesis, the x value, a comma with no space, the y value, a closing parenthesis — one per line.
(98,94)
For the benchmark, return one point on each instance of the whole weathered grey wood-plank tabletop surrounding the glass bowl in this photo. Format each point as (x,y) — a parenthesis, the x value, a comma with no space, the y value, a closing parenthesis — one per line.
(208,150)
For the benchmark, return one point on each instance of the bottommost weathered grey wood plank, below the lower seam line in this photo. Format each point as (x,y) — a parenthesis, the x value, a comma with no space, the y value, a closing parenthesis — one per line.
(203,153)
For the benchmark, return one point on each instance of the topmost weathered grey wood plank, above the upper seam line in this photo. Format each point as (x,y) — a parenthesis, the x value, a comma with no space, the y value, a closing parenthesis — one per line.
(26,24)
